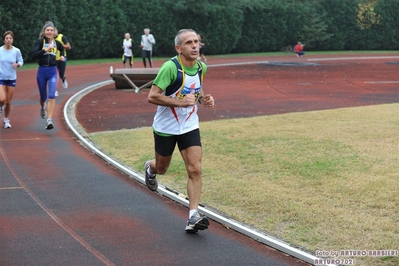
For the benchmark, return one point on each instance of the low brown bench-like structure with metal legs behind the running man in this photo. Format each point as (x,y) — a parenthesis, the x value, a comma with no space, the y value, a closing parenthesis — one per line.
(136,78)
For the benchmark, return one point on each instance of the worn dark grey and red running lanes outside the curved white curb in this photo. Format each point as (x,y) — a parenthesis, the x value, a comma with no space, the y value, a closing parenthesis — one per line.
(63,205)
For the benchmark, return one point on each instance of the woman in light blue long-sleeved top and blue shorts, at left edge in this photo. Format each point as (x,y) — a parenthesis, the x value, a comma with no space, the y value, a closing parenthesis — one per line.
(10,60)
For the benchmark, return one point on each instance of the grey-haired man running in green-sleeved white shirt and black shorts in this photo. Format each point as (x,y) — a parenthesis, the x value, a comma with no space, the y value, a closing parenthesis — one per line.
(177,94)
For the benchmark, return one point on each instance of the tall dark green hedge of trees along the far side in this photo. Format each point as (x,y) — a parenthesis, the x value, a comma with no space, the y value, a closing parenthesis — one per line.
(96,28)
